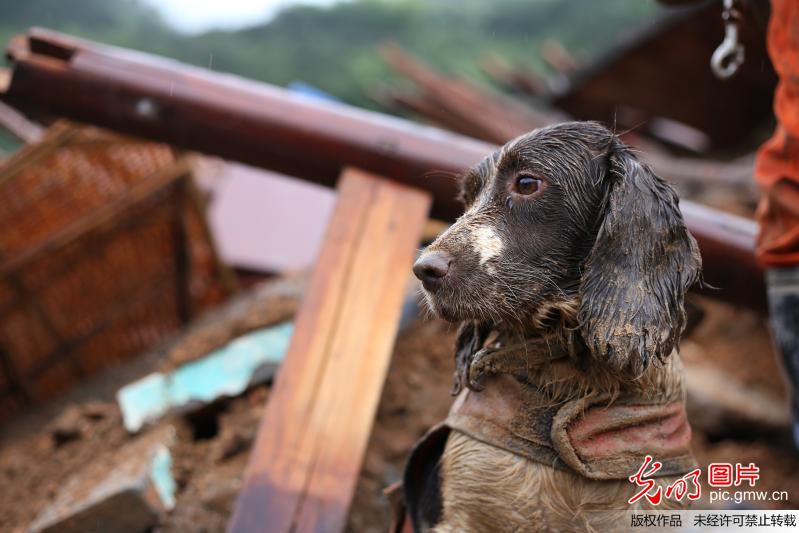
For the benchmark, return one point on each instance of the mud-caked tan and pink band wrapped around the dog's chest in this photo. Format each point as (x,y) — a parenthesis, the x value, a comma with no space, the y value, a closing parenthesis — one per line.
(590,436)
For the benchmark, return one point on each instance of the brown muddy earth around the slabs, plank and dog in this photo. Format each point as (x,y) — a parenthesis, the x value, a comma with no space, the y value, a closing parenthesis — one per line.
(41,449)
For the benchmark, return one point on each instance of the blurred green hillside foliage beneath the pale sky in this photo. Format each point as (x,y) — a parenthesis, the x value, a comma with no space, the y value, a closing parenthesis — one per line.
(335,48)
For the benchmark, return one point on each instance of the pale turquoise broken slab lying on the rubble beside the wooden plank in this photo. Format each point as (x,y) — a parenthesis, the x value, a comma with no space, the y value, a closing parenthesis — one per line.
(228,371)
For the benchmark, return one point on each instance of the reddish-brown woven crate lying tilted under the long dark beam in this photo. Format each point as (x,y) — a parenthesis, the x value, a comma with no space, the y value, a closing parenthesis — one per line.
(104,251)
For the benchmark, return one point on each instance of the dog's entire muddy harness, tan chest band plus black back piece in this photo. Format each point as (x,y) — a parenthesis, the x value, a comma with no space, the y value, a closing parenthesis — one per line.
(591,436)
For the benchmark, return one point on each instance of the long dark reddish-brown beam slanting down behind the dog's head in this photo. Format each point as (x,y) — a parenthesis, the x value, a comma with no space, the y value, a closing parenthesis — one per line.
(265,126)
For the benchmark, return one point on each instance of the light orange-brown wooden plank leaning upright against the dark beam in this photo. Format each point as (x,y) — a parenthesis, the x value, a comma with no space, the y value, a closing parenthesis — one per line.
(308,453)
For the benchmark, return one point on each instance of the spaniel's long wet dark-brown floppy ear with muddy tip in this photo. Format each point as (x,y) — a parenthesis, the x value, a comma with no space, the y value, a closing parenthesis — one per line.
(635,277)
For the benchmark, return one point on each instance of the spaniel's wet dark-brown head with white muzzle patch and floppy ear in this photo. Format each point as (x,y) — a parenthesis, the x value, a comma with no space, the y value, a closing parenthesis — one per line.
(565,223)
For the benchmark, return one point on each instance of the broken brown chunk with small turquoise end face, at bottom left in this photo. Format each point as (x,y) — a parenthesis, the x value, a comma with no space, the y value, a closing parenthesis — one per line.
(131,488)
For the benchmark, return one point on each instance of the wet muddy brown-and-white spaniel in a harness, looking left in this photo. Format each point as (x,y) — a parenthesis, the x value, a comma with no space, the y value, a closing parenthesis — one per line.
(567,272)
